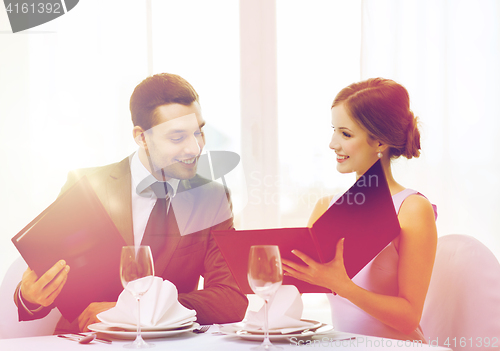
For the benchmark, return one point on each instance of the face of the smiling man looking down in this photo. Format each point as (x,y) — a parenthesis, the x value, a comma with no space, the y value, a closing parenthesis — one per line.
(172,147)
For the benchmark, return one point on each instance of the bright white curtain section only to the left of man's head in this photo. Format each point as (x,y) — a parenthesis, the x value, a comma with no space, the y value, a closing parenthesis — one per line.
(64,90)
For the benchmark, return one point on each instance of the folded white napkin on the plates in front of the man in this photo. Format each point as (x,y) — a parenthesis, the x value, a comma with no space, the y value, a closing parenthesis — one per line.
(160,308)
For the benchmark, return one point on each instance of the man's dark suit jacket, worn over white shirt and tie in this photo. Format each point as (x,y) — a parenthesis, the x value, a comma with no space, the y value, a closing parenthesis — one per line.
(190,251)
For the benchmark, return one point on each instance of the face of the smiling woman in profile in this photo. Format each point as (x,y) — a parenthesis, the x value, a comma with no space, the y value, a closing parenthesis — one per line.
(356,150)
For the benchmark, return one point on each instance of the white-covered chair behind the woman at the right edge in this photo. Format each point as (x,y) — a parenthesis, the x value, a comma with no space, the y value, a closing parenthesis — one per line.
(462,308)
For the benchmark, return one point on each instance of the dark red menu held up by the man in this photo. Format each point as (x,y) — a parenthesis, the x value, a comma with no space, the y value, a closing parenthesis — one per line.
(76,228)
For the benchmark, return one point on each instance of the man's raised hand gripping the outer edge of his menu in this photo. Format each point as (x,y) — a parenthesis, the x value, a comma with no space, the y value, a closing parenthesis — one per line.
(44,290)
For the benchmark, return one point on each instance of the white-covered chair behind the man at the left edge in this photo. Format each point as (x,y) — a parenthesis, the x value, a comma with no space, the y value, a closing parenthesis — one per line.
(10,327)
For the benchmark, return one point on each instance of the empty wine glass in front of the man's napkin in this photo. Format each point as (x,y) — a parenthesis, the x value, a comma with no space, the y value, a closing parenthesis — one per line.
(137,274)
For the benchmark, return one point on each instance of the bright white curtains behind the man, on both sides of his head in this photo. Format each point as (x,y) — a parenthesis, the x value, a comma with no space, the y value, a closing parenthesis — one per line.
(65,88)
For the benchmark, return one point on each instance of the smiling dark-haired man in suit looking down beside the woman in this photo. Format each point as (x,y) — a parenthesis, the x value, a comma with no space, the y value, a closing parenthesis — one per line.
(168,130)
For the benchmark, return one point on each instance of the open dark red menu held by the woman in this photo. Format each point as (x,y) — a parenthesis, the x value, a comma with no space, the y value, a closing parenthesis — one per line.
(364,215)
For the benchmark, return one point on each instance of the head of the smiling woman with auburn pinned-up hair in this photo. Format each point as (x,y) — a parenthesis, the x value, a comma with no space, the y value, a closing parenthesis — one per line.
(365,122)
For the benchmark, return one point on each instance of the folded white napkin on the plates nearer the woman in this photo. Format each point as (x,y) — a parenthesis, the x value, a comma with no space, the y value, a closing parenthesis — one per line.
(285,311)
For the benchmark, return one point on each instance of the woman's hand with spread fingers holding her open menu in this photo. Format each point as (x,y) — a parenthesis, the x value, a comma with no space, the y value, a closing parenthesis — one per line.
(331,275)
